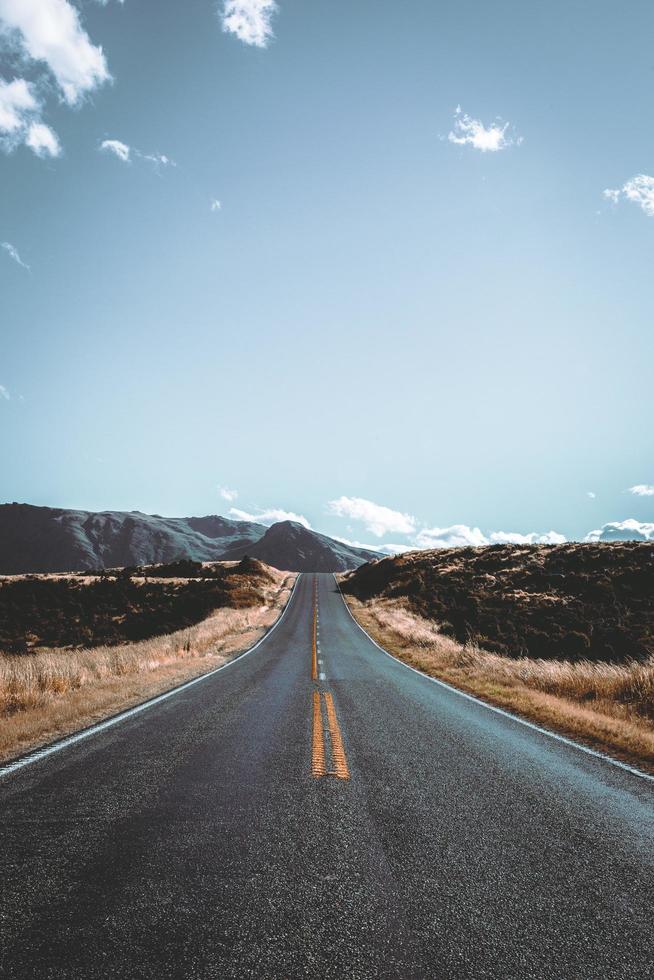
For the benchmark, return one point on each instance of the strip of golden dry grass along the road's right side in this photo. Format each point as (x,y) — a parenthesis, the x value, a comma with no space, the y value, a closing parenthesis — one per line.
(607,706)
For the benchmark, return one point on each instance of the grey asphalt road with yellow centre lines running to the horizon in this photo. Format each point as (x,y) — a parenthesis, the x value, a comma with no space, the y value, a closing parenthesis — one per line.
(201,838)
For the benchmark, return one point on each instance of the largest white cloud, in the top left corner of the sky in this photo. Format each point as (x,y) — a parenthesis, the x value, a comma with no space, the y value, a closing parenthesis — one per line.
(49,31)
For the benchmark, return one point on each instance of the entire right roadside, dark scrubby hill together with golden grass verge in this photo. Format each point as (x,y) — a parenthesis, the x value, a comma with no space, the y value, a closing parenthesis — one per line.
(598,687)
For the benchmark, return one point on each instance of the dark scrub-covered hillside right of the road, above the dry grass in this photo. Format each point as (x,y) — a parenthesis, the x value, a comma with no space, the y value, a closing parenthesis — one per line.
(567,602)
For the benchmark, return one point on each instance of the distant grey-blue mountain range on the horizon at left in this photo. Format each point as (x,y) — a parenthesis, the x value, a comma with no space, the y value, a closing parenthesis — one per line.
(48,539)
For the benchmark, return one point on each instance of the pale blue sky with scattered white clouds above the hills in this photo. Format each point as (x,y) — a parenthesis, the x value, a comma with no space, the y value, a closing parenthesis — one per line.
(387,268)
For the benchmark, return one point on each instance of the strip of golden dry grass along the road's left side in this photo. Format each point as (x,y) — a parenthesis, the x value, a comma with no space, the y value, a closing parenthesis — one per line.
(51,693)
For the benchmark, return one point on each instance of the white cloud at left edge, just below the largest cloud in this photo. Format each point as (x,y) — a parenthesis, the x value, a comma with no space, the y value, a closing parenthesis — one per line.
(20,120)
